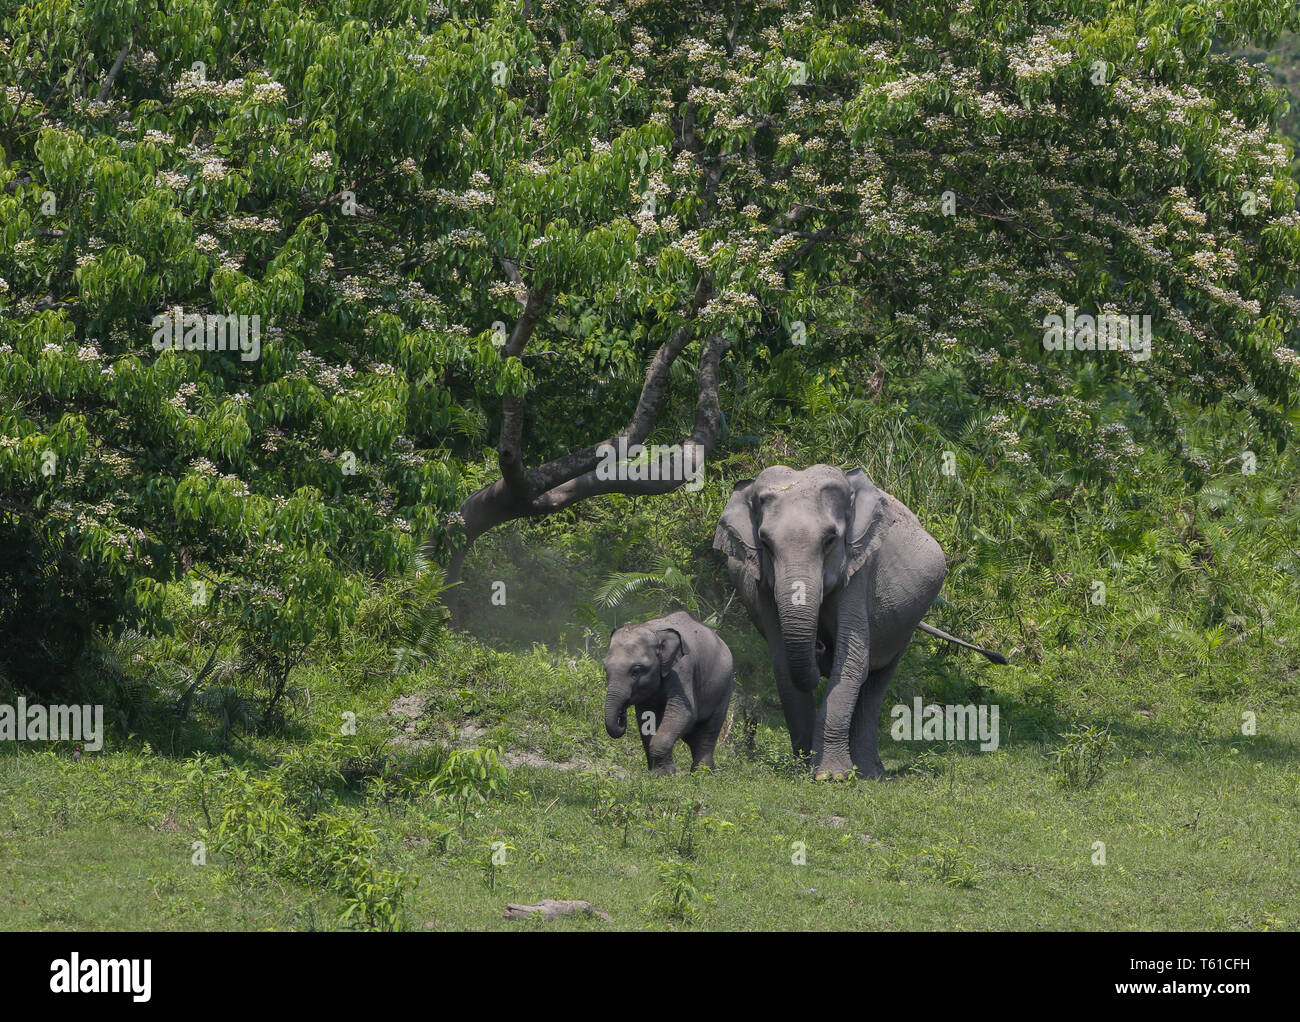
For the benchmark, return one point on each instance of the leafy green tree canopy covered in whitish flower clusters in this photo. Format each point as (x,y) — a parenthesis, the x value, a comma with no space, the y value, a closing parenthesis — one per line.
(501,226)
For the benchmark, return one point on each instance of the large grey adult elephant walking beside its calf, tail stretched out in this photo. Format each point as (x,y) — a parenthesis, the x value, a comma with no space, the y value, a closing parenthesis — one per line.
(837,574)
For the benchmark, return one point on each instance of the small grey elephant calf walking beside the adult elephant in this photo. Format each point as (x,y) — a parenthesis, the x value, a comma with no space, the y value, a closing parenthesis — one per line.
(679,675)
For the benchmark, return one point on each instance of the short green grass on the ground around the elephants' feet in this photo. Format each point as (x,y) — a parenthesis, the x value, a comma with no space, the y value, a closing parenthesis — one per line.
(1198,820)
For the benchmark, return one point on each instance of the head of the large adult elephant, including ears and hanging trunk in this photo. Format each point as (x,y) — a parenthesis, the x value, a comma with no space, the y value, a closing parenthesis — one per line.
(800,536)
